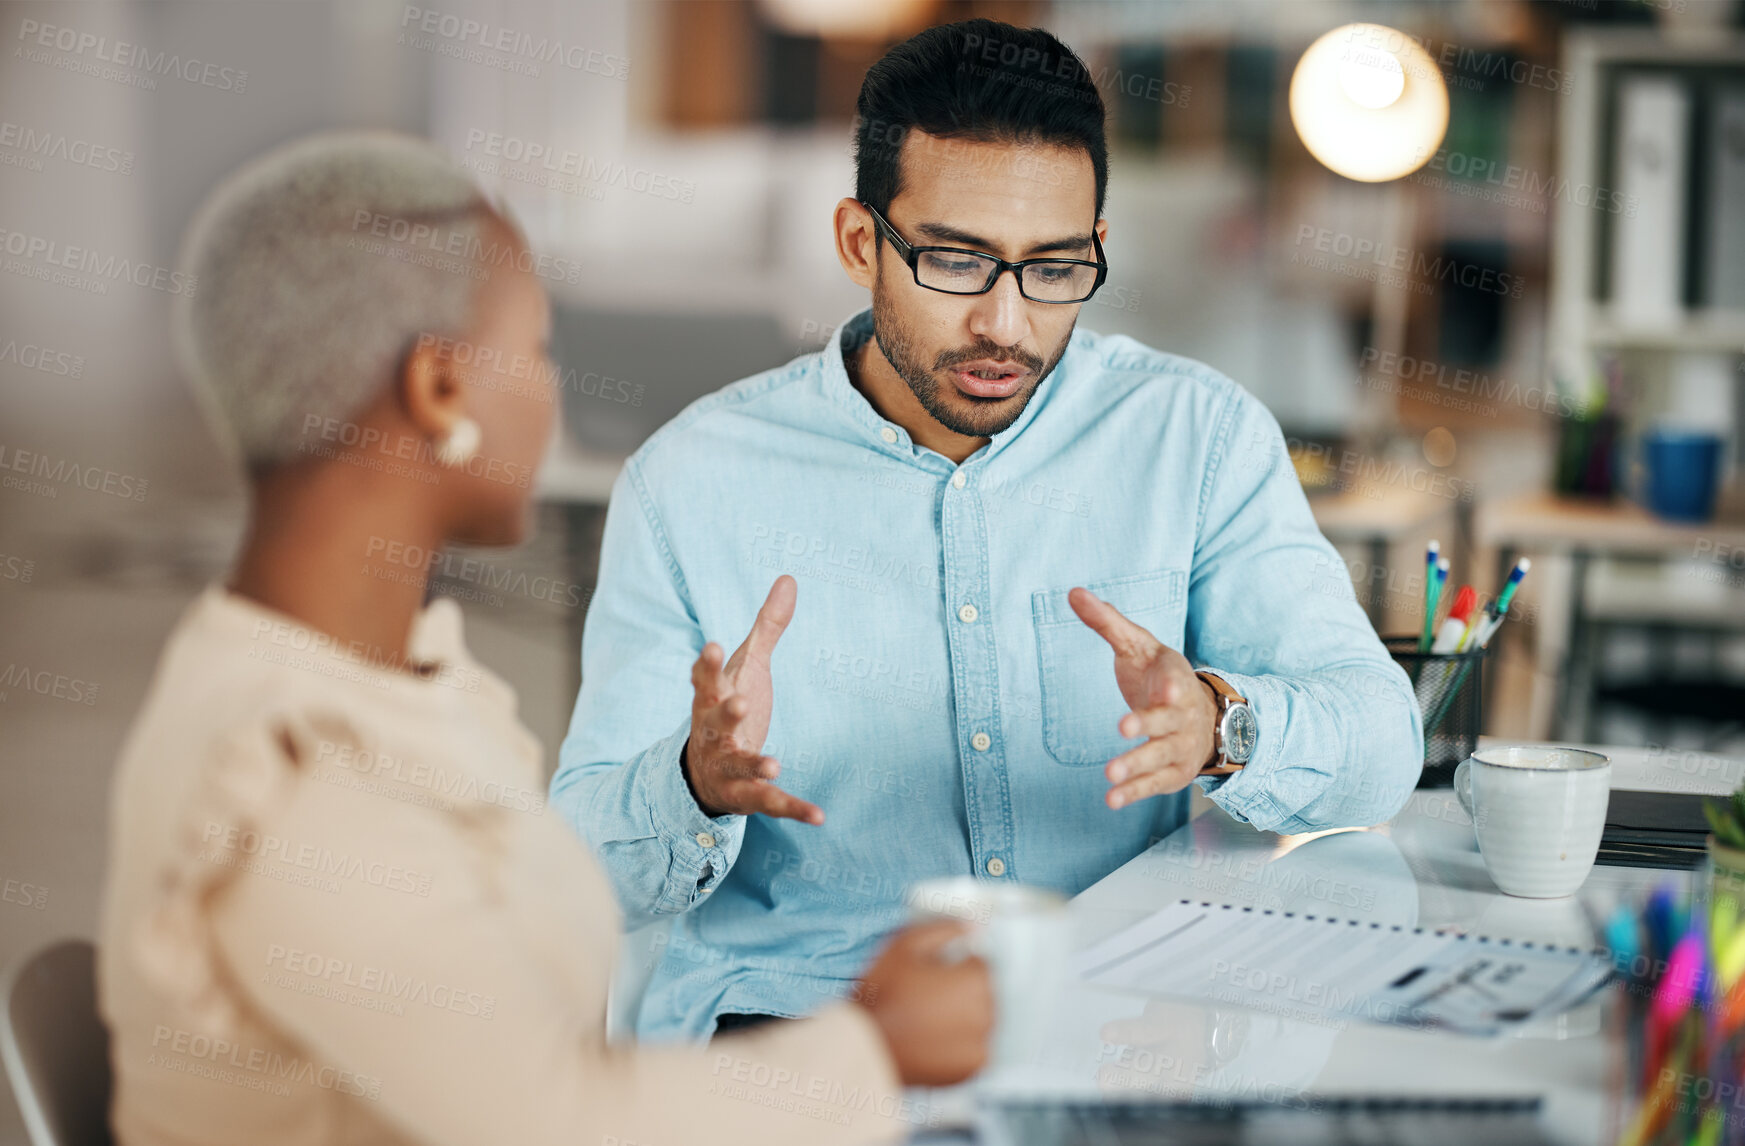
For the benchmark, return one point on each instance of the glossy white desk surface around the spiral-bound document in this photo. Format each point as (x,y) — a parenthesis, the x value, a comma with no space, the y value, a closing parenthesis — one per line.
(1421,870)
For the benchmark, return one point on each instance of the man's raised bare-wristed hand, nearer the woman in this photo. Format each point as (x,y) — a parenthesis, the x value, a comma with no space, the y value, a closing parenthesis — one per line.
(723,761)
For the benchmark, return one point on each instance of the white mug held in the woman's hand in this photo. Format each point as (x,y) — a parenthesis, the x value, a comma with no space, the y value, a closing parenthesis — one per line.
(1025,938)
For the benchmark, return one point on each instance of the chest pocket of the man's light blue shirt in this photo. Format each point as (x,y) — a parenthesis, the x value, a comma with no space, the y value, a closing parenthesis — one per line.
(1081,702)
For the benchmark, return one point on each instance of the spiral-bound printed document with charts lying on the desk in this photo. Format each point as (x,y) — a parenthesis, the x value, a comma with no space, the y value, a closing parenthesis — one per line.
(1320,969)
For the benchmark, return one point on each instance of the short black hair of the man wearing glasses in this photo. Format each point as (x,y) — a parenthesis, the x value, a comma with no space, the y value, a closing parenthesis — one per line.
(983,81)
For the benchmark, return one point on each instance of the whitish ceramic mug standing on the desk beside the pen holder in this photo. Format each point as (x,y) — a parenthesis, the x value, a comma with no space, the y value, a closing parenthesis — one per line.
(1538,812)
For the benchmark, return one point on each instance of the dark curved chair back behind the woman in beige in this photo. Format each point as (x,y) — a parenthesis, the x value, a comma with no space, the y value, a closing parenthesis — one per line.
(57,1049)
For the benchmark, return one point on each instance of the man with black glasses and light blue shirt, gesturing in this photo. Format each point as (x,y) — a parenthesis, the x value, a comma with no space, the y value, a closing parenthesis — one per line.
(1004,582)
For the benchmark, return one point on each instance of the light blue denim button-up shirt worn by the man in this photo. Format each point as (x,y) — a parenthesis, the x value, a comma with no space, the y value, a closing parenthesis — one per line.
(934,693)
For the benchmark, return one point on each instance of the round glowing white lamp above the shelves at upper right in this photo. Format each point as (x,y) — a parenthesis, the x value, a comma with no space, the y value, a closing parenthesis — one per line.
(1369,102)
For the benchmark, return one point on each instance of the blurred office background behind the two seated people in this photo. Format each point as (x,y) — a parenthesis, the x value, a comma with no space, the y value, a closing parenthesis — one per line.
(1529,346)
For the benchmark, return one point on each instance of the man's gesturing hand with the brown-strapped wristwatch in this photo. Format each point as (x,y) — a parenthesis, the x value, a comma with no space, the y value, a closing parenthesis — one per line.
(1172,707)
